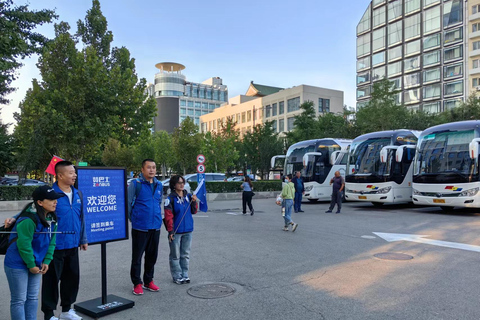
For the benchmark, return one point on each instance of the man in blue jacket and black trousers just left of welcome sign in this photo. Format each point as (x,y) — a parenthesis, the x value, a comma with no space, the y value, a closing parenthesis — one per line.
(65,267)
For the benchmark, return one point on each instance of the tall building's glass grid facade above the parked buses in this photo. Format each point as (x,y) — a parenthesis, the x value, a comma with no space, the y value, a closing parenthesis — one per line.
(421,46)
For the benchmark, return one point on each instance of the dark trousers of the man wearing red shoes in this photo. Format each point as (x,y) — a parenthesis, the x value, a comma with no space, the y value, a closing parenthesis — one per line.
(144,242)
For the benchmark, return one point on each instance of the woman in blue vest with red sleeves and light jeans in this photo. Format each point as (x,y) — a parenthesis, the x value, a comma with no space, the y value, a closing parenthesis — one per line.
(179,208)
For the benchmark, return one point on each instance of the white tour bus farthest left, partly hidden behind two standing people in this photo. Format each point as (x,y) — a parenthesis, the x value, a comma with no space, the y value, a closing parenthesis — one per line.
(317,160)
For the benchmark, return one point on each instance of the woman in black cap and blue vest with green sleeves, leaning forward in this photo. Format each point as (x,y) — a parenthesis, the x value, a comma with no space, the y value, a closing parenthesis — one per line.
(30,252)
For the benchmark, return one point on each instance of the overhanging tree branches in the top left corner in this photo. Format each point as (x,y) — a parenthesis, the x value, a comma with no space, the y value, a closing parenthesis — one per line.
(18,40)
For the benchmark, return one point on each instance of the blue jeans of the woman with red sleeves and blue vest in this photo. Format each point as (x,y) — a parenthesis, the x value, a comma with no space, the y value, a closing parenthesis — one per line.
(180,255)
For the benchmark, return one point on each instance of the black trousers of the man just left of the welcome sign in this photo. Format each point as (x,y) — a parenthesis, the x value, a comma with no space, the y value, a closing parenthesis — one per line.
(65,268)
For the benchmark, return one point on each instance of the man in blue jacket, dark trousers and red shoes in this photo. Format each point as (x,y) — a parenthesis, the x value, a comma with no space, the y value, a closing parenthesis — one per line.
(145,199)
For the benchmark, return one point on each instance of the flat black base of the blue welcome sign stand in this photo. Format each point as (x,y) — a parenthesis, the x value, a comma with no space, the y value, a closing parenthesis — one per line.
(95,308)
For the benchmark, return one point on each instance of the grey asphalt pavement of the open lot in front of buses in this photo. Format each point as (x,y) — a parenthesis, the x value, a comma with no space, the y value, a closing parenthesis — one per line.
(325,270)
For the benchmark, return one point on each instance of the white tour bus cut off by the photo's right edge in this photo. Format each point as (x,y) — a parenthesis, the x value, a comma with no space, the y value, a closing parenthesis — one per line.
(446,166)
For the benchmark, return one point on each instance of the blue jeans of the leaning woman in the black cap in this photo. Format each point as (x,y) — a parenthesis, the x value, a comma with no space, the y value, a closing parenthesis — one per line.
(24,288)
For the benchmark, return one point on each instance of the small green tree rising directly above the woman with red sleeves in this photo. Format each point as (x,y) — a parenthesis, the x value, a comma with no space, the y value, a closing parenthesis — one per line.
(187,144)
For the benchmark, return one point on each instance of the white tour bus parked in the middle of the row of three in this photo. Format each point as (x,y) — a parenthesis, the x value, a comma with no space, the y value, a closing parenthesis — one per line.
(380,167)
